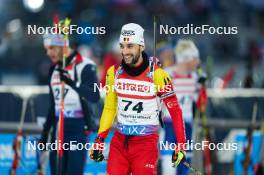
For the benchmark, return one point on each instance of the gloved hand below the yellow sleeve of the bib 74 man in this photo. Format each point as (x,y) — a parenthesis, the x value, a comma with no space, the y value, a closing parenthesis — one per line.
(96,152)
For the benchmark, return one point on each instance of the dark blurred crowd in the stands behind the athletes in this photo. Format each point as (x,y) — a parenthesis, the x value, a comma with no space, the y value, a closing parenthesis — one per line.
(229,60)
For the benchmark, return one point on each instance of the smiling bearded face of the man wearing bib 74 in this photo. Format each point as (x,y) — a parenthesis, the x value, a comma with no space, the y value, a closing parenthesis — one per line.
(131,53)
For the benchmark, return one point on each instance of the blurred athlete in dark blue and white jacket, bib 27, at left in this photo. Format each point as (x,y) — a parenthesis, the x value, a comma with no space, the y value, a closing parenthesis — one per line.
(80,77)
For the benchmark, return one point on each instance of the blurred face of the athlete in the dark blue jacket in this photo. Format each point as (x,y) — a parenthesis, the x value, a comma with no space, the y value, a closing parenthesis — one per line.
(55,53)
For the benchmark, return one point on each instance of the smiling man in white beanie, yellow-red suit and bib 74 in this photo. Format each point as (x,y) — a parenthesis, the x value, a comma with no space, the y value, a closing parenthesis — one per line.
(138,87)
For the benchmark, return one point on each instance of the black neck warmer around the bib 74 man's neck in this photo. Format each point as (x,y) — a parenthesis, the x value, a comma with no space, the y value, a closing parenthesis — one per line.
(135,71)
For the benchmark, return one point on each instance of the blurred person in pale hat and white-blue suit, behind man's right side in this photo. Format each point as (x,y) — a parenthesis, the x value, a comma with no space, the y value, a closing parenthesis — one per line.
(186,77)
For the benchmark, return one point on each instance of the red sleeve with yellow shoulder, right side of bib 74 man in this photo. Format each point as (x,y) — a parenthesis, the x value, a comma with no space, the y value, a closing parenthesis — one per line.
(165,91)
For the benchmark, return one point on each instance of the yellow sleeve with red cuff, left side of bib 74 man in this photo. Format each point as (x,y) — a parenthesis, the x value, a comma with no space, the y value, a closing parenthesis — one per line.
(110,105)
